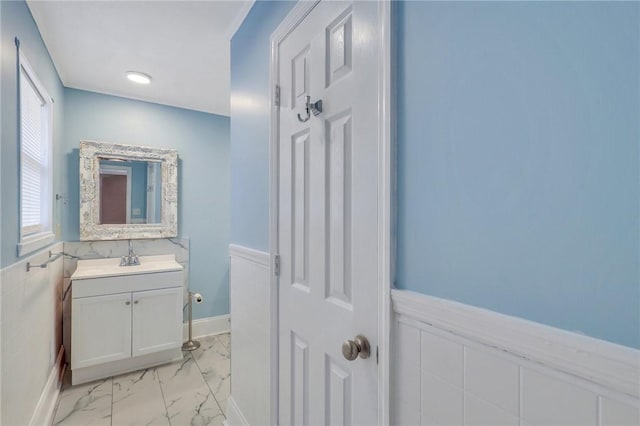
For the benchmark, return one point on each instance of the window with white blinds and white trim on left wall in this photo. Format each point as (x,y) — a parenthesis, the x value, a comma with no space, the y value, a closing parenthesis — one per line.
(35,162)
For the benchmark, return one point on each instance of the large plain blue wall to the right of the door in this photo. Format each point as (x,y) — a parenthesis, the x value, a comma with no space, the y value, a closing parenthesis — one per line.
(518,174)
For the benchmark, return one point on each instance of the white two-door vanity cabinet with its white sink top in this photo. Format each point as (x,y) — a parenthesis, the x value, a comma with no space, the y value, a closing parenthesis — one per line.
(125,319)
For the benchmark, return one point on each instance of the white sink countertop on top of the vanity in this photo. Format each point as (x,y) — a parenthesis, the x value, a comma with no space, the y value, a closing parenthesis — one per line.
(110,267)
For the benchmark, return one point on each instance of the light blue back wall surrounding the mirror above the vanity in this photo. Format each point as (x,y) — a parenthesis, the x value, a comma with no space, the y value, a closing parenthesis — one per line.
(202,141)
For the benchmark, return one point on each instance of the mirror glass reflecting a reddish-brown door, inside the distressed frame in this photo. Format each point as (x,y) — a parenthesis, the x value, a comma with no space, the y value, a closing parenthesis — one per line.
(130,191)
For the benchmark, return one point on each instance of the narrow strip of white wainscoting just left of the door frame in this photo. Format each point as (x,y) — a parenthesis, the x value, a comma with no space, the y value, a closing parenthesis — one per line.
(250,337)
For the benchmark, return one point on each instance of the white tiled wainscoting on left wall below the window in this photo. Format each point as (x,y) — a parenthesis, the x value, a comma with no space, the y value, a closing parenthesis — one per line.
(31,358)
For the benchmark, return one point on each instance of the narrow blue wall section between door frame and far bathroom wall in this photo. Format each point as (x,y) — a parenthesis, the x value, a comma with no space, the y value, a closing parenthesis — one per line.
(250,123)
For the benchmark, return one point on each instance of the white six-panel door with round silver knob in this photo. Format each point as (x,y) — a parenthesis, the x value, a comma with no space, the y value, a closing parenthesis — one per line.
(327,219)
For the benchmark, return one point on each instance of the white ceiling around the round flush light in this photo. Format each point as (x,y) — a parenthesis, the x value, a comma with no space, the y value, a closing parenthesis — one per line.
(183,45)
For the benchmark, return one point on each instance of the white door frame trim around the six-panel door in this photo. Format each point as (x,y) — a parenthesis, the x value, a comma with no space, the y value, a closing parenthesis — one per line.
(386,170)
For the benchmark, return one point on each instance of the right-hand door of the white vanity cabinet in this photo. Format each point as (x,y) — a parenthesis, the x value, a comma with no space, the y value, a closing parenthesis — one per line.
(157,320)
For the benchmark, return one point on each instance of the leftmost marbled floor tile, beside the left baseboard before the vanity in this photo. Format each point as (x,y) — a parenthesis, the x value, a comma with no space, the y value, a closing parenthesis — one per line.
(85,405)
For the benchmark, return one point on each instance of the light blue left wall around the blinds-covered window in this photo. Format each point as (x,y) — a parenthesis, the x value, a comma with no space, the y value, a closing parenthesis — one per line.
(16,21)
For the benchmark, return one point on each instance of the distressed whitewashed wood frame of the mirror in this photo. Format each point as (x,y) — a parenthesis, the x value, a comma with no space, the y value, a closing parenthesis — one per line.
(90,227)
